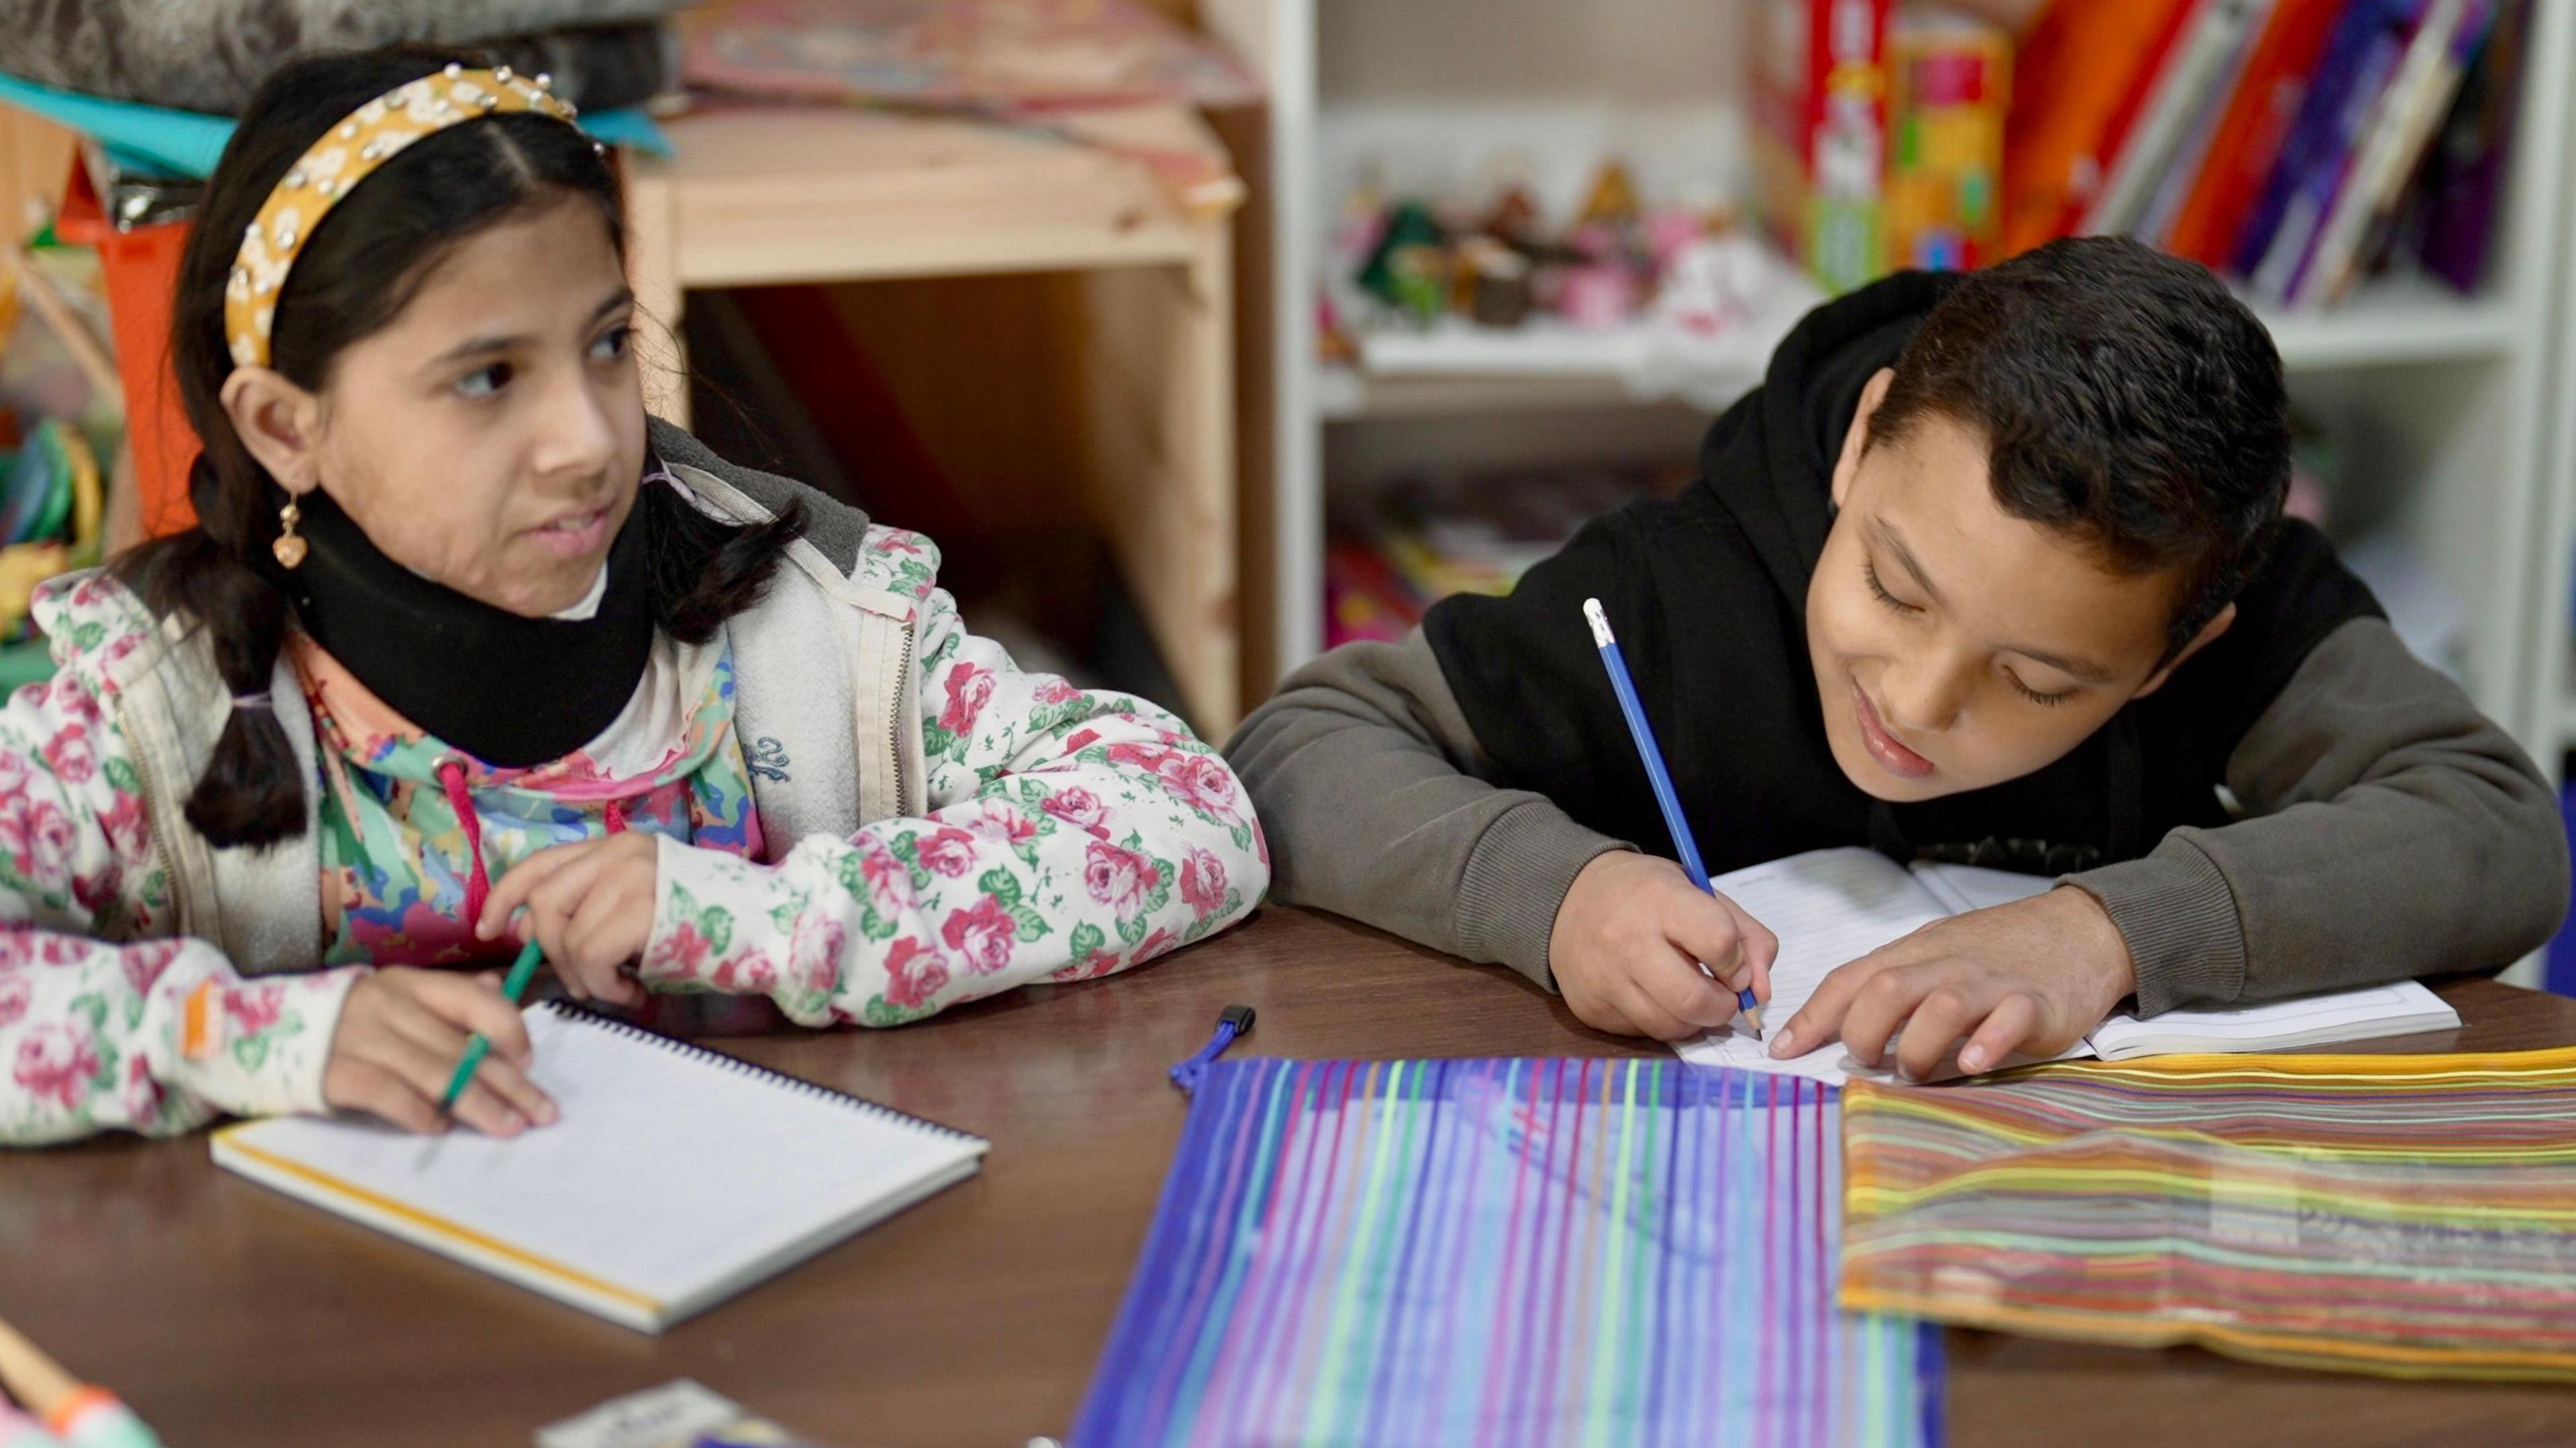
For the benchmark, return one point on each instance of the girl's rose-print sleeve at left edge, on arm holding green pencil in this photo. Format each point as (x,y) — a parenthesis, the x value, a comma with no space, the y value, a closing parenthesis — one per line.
(146,1034)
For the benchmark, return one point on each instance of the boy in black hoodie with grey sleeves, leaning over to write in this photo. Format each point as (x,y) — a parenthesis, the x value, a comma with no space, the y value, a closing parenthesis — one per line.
(1993,571)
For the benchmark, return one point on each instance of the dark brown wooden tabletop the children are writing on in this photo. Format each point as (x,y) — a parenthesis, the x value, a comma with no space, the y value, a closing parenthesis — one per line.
(233,1315)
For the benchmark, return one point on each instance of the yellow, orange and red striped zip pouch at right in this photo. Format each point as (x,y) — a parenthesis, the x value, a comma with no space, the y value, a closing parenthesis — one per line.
(2384,1215)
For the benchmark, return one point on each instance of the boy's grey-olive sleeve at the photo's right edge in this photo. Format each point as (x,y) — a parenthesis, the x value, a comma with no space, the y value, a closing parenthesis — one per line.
(2392,831)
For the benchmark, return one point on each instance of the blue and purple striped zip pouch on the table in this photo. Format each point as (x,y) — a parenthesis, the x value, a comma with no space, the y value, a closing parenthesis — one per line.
(1503,1253)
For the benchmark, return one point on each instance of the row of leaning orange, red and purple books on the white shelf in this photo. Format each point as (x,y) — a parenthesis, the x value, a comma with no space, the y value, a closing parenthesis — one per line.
(2289,143)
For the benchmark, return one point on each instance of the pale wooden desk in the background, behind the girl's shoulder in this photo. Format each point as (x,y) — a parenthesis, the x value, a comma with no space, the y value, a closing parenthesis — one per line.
(1145,336)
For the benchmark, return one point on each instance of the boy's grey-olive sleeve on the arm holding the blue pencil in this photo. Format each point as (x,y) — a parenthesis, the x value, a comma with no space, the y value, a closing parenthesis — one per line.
(1367,782)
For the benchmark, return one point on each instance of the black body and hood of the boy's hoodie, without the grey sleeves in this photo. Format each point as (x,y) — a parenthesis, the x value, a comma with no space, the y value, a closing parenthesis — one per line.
(1709,602)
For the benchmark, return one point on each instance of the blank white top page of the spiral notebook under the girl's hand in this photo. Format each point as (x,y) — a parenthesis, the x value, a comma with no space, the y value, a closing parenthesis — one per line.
(668,1171)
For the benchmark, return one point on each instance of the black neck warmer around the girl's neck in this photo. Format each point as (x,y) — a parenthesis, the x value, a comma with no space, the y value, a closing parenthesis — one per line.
(506,689)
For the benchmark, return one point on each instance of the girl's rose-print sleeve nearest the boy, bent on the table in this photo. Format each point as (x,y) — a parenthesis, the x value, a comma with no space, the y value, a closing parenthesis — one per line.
(1070,836)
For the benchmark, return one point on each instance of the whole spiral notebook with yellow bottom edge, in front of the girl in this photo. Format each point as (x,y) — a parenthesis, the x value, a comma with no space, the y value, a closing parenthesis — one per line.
(671,1181)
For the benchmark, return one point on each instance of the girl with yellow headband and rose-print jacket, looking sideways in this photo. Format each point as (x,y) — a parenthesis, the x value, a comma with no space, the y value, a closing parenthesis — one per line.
(465,645)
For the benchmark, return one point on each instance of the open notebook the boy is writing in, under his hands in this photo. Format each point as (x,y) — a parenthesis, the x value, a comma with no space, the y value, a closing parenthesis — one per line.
(1838,906)
